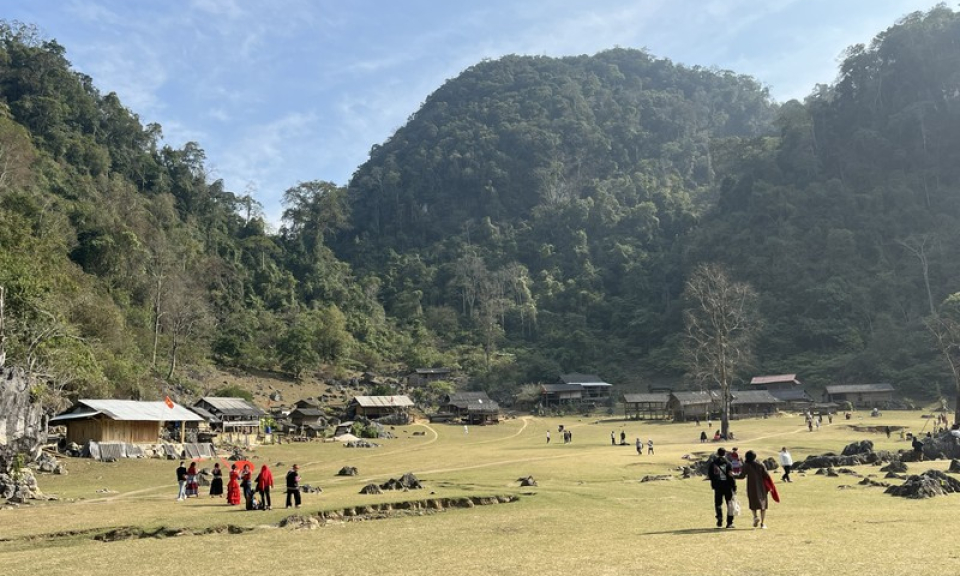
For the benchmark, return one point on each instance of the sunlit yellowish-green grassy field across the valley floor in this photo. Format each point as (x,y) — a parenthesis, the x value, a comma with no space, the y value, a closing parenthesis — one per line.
(589,514)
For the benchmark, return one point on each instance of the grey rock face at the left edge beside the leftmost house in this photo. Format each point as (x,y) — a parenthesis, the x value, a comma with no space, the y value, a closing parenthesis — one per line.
(21,419)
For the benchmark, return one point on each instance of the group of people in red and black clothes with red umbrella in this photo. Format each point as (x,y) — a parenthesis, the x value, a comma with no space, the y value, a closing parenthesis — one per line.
(241,485)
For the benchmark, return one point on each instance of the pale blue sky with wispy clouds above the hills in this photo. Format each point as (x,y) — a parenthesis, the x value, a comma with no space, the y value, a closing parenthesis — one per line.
(286,91)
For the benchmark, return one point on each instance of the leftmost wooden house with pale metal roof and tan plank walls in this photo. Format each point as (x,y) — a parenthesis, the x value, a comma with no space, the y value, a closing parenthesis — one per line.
(127,421)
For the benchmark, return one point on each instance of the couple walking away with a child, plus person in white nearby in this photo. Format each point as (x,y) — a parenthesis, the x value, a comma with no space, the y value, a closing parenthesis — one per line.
(724,470)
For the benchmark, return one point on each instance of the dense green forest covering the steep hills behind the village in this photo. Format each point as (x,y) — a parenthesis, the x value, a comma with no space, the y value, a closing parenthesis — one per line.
(535,216)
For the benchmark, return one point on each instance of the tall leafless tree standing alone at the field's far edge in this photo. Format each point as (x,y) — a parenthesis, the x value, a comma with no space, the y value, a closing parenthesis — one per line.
(722,322)
